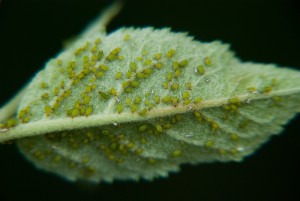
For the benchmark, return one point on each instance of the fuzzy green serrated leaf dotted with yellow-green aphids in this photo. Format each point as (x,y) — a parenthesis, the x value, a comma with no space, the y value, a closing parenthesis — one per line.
(137,103)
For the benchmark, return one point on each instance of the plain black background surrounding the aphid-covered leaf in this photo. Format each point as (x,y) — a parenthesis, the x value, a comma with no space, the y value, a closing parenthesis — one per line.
(32,31)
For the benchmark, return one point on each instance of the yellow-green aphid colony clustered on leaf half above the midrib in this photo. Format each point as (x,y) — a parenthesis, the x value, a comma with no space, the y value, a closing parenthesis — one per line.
(96,66)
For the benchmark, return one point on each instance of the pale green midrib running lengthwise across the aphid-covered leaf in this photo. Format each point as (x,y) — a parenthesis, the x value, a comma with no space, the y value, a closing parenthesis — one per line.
(56,125)
